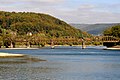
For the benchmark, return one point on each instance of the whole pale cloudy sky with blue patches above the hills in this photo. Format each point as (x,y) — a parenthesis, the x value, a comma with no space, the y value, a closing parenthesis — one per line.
(71,11)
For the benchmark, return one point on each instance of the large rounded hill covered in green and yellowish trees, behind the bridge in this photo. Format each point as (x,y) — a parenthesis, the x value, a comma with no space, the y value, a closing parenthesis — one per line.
(36,23)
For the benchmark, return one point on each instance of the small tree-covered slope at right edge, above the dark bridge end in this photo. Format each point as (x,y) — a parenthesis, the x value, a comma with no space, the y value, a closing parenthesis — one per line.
(113,31)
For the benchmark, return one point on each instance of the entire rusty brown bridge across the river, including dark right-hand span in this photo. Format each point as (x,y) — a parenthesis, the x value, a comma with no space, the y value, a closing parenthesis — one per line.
(106,40)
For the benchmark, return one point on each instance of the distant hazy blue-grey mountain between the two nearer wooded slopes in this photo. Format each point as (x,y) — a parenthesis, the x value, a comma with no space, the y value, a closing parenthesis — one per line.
(95,29)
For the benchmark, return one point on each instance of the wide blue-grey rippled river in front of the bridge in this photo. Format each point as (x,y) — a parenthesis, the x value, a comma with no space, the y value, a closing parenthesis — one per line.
(63,63)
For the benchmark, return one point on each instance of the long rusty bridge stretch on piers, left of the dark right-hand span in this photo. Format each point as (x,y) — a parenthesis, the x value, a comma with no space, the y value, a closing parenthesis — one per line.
(52,41)
